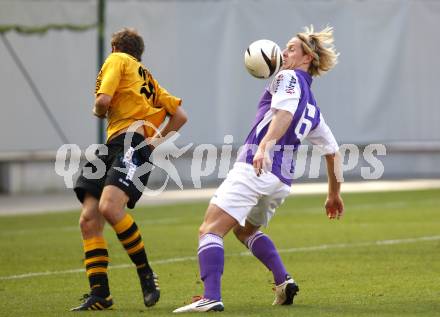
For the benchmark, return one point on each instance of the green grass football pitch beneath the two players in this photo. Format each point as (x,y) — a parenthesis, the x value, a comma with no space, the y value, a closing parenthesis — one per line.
(339,266)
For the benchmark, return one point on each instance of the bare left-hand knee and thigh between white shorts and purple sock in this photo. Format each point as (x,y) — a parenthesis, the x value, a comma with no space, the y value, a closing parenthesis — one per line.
(217,221)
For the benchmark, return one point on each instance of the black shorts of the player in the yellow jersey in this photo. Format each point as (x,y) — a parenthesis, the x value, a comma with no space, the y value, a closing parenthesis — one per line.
(124,168)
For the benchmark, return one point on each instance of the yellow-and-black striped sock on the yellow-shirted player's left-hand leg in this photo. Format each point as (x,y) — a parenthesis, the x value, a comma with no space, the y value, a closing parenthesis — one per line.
(96,262)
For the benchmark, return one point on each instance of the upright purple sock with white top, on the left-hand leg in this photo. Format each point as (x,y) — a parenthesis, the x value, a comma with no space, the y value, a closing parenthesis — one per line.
(211,262)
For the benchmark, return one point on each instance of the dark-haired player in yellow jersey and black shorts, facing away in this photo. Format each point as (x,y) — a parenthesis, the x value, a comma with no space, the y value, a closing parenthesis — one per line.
(125,93)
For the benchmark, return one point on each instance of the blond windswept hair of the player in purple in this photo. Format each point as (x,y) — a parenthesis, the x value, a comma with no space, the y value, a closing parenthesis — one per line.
(319,45)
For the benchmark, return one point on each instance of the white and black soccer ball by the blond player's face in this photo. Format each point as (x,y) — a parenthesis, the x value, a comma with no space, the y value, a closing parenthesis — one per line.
(263,58)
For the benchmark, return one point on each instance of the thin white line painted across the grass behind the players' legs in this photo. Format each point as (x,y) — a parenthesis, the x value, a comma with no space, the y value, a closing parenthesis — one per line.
(194,258)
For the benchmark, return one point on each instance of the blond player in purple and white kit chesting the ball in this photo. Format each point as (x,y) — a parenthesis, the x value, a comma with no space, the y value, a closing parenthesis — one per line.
(261,178)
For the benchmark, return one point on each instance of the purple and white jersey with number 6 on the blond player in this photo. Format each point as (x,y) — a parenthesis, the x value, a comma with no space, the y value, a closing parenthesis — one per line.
(289,91)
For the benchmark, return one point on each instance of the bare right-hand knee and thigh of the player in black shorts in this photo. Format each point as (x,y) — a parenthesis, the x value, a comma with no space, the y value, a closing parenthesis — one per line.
(112,204)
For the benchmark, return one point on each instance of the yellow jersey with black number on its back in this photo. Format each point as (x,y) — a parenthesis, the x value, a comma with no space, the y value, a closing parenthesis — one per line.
(136,95)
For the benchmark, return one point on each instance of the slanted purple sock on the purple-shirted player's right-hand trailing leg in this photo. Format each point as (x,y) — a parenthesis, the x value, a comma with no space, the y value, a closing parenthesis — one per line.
(264,250)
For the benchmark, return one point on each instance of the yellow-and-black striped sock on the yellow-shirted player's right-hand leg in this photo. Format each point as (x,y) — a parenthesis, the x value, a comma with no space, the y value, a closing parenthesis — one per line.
(130,237)
